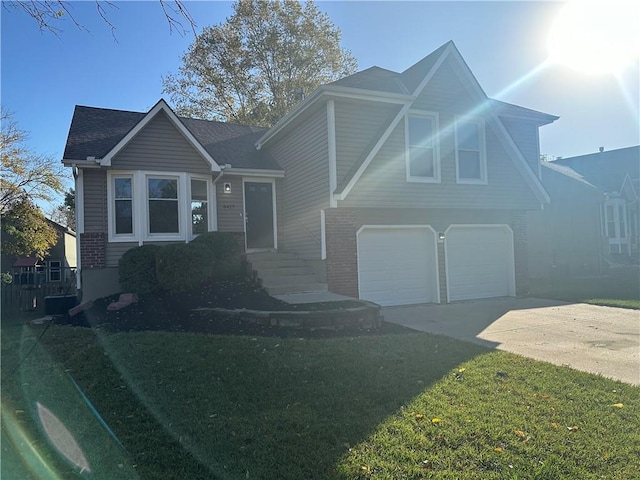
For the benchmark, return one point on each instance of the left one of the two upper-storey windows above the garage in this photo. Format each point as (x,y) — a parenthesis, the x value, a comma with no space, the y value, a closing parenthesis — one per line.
(422,150)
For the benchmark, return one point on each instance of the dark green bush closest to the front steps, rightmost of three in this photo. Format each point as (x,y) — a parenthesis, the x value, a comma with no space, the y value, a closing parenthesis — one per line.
(223,253)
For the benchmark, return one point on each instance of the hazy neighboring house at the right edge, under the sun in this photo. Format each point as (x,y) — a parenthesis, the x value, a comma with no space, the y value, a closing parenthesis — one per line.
(616,173)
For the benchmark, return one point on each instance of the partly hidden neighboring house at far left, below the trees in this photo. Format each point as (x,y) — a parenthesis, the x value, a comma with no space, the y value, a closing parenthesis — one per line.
(58,267)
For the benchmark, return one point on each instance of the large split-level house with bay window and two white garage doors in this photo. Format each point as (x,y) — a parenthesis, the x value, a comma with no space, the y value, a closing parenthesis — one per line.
(398,188)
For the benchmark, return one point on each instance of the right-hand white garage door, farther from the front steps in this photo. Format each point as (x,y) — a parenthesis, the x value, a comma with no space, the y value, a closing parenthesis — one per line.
(479,261)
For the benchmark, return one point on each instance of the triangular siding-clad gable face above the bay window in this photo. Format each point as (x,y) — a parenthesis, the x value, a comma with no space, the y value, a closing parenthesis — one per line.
(161,147)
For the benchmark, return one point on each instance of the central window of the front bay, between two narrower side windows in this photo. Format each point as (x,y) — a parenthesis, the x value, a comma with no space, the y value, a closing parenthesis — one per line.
(163,205)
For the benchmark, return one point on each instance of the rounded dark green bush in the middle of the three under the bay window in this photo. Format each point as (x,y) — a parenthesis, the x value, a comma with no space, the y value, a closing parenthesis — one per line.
(183,266)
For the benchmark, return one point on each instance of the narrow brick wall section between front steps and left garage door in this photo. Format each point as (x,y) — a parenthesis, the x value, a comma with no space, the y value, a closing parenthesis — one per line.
(342,260)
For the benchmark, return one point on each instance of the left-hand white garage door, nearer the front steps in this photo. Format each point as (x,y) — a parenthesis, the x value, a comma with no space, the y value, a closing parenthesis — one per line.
(397,265)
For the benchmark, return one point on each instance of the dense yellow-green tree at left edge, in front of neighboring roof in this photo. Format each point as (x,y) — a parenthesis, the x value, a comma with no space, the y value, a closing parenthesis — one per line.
(25,230)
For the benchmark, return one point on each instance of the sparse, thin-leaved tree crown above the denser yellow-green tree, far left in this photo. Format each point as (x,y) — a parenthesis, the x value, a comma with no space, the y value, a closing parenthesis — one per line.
(23,171)
